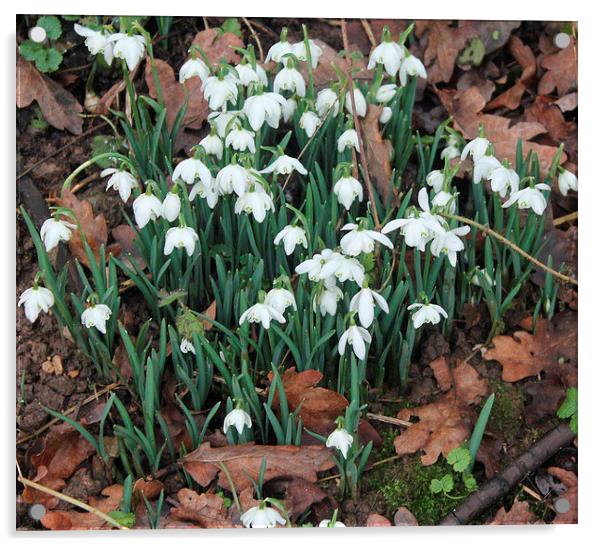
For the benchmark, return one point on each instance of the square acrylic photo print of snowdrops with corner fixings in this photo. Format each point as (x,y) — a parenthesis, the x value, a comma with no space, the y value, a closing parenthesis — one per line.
(274,273)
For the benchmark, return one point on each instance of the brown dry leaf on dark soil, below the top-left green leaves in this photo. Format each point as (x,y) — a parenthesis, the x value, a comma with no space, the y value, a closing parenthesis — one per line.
(59,107)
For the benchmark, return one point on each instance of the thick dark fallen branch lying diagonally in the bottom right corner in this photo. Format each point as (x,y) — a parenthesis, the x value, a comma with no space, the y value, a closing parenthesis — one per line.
(506,481)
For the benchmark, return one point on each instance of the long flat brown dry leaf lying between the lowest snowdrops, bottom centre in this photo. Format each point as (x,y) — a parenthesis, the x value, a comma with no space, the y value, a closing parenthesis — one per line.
(244,460)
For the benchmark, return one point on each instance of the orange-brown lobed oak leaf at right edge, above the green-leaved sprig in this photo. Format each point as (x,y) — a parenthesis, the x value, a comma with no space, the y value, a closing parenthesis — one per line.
(552,348)
